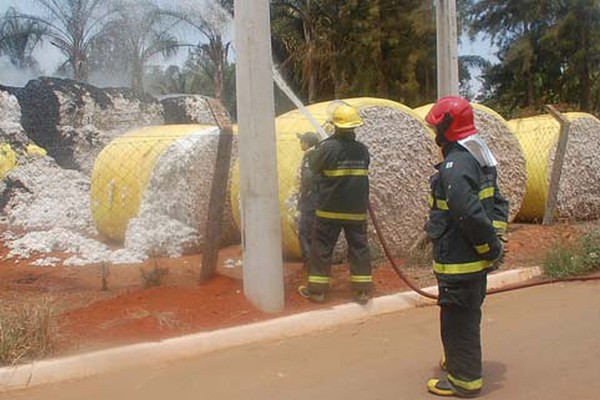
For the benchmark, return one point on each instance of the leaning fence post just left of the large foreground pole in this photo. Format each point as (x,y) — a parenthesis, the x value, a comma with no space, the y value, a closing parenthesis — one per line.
(218,191)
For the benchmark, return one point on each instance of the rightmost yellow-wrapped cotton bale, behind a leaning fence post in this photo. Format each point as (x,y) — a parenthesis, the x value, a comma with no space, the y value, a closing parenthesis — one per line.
(579,187)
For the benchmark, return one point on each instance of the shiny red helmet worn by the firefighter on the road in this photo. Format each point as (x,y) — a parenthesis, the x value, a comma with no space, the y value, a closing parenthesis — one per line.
(452,117)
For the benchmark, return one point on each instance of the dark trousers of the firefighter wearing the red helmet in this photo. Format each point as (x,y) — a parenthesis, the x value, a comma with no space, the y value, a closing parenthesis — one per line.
(460,324)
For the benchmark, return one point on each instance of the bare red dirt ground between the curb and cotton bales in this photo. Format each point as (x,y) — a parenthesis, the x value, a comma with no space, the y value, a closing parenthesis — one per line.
(88,318)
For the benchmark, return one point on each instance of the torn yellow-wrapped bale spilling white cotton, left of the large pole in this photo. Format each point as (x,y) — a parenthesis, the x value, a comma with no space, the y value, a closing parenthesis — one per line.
(151,188)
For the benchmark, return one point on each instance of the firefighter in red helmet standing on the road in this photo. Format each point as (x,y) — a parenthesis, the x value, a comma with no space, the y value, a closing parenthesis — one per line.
(467,222)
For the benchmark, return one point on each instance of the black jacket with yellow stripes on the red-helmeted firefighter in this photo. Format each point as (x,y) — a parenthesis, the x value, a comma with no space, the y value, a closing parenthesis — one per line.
(467,214)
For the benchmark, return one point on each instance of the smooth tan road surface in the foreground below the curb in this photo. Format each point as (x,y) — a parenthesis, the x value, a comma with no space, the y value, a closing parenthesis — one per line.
(540,343)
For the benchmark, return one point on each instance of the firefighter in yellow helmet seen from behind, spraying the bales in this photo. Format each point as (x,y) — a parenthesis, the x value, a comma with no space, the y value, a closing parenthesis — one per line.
(341,165)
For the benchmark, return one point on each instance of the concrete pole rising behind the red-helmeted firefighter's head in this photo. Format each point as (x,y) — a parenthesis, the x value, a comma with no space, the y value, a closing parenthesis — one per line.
(447,48)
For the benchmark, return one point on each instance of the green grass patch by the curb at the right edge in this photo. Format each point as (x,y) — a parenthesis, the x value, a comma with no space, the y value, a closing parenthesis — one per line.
(579,258)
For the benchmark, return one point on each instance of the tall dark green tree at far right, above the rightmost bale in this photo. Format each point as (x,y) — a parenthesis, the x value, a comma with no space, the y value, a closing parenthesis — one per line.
(549,52)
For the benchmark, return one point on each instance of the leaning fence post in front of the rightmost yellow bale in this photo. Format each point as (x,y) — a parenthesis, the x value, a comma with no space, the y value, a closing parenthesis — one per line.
(559,158)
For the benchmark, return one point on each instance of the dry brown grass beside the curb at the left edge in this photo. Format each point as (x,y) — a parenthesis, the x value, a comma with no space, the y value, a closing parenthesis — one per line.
(26,333)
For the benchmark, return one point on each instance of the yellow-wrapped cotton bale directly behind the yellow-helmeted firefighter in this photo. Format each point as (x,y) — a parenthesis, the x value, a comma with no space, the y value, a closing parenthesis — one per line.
(402,157)
